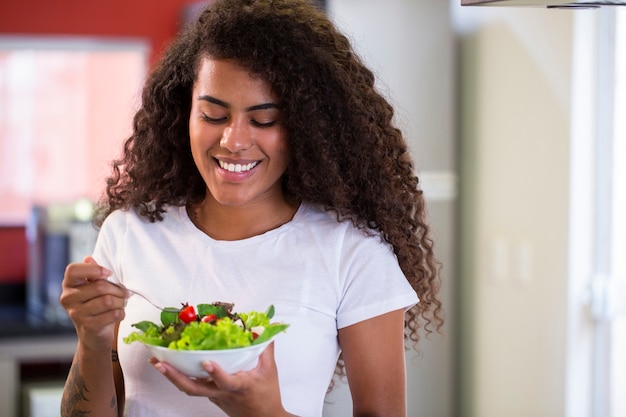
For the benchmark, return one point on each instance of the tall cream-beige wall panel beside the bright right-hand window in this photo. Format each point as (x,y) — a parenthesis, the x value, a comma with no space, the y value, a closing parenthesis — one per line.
(516,77)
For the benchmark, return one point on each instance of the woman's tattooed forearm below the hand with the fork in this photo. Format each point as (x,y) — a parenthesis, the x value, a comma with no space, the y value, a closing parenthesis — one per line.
(90,388)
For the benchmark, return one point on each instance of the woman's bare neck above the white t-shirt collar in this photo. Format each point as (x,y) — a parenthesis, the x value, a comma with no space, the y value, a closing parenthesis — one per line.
(240,222)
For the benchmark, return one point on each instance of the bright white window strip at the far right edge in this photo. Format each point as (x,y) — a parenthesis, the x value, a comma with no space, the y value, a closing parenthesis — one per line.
(597,325)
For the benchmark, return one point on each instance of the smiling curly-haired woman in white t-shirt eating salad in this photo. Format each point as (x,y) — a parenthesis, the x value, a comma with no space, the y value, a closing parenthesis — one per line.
(263,169)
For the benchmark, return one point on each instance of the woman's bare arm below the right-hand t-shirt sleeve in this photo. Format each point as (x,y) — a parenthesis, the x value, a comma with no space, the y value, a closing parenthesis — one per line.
(373,352)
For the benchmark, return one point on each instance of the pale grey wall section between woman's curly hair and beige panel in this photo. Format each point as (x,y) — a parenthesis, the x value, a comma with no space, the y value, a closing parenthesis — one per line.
(410,46)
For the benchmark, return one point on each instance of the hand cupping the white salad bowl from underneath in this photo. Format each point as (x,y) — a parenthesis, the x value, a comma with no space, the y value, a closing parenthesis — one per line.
(243,394)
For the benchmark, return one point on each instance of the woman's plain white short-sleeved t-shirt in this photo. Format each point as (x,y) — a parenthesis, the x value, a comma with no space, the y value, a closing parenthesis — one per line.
(320,274)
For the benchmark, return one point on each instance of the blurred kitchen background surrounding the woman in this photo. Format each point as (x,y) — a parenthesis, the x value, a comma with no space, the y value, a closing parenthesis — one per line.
(513,118)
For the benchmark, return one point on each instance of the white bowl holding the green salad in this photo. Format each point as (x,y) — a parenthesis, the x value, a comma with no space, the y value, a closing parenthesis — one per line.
(189,362)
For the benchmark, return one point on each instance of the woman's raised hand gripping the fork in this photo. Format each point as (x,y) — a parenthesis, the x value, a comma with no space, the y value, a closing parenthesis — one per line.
(94,304)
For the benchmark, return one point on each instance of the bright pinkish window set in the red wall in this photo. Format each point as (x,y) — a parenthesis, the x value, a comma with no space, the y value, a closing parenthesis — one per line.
(65,107)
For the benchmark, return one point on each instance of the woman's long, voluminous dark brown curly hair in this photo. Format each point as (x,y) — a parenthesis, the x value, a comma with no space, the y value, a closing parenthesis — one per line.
(345,152)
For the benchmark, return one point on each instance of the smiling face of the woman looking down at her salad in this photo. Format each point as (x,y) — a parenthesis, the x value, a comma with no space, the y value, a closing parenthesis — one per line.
(237,138)
